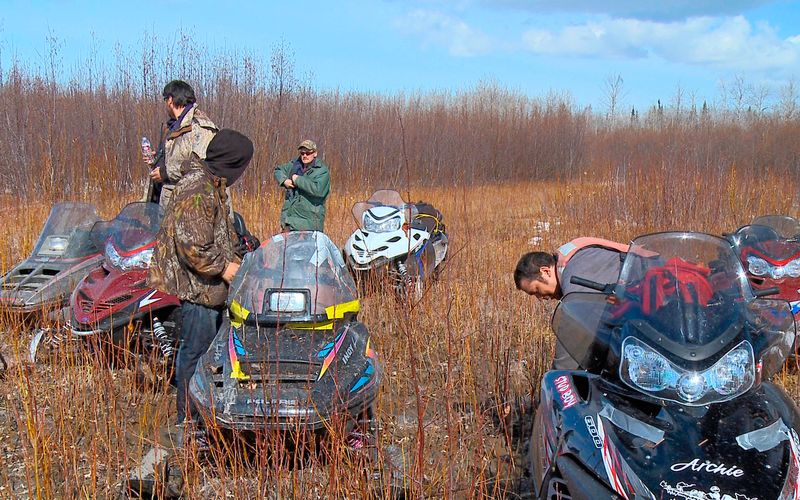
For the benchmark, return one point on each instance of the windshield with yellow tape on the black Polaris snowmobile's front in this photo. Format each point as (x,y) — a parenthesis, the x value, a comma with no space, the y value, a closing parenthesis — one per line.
(297,276)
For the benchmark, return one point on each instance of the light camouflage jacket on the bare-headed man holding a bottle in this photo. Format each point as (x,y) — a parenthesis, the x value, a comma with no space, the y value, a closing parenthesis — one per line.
(192,136)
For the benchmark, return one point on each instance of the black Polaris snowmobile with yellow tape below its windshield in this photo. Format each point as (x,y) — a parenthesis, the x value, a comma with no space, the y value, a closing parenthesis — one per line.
(291,353)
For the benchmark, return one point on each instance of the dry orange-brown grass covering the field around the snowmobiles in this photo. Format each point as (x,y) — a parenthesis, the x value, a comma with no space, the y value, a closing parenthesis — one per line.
(73,428)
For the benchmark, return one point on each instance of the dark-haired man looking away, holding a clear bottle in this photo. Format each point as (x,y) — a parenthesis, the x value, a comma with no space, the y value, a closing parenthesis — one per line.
(188,131)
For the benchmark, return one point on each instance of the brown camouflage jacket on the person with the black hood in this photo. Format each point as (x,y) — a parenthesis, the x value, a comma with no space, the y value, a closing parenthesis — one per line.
(197,239)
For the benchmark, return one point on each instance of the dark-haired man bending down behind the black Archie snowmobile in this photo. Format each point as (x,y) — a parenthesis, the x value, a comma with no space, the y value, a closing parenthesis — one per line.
(547,276)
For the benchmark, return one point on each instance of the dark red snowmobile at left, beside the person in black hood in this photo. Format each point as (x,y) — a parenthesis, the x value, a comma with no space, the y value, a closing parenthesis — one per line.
(113,302)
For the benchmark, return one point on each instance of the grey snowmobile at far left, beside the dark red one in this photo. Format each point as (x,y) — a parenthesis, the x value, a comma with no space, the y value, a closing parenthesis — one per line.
(39,287)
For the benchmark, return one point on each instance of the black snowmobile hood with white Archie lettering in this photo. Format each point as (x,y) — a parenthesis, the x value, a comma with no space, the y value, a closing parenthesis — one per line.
(746,448)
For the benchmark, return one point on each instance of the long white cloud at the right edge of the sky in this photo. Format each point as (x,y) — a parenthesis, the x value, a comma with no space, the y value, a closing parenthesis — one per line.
(728,42)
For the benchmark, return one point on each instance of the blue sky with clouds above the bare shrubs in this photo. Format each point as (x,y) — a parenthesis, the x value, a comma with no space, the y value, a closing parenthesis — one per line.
(569,47)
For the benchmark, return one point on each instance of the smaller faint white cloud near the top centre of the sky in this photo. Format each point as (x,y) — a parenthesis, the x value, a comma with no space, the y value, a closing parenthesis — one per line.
(435,28)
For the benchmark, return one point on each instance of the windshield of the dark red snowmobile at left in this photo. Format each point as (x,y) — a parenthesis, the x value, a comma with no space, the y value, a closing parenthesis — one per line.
(135,227)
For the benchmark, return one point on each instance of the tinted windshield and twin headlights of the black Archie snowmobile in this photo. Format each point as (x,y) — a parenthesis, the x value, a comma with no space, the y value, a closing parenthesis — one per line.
(682,324)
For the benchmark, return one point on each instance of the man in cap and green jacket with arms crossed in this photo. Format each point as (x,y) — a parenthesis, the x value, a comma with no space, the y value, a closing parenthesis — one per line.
(307,183)
